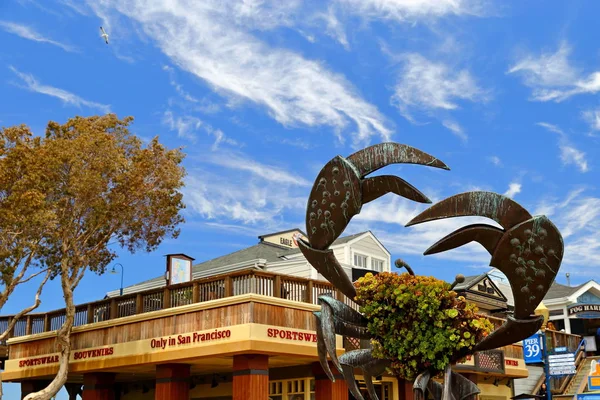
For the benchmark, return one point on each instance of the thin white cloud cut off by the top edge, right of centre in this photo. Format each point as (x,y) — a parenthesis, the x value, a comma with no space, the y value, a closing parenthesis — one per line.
(402,10)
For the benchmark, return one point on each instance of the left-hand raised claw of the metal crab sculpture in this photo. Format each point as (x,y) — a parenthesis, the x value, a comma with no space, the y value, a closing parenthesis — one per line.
(339,192)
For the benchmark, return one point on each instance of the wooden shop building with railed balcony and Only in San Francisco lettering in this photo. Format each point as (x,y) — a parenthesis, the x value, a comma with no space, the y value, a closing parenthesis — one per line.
(236,327)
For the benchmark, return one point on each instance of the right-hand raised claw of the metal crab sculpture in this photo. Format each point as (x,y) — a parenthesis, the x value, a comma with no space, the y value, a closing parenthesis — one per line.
(528,250)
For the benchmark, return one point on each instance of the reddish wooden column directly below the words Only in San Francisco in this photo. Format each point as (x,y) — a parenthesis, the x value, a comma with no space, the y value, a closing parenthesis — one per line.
(172,381)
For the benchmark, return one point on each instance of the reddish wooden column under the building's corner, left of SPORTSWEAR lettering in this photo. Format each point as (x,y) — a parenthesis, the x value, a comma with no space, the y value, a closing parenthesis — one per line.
(251,377)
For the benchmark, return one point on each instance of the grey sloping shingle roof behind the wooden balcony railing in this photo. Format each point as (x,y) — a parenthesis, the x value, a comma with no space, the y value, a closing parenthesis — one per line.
(263,250)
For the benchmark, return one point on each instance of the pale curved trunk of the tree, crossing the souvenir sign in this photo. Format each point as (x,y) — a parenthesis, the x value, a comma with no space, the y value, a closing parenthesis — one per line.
(63,341)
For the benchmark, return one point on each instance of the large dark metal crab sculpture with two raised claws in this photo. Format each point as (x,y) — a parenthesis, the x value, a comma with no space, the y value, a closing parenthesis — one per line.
(528,250)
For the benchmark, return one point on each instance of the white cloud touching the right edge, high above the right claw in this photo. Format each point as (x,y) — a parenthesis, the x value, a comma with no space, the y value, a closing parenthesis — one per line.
(552,78)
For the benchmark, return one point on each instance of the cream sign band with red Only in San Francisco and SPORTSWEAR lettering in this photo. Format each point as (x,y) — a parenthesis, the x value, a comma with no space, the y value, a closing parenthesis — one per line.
(209,343)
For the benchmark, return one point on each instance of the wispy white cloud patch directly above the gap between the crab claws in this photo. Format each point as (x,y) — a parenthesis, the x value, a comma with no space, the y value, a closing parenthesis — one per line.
(431,87)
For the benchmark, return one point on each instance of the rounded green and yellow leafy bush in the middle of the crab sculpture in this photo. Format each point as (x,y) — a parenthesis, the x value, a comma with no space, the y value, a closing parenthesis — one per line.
(418,322)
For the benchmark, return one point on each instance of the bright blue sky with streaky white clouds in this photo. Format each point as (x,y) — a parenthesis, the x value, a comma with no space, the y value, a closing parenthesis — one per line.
(262,93)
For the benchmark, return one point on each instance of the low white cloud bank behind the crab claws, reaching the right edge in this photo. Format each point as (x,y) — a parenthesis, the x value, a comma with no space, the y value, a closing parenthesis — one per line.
(577,217)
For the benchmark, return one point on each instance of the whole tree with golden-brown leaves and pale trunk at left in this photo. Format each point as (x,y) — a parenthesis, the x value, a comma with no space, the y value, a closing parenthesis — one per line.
(69,199)
